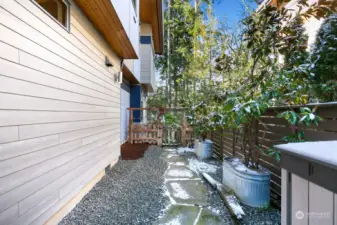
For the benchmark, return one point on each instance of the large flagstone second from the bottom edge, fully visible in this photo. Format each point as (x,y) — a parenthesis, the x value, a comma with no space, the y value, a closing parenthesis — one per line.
(191,192)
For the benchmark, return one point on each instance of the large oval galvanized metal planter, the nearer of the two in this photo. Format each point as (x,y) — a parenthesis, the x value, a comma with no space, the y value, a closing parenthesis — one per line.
(252,189)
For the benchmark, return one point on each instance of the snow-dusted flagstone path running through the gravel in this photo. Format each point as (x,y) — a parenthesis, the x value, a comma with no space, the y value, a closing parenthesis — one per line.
(187,193)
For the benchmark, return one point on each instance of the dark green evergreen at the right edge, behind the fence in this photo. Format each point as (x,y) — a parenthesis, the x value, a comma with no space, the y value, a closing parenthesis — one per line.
(324,60)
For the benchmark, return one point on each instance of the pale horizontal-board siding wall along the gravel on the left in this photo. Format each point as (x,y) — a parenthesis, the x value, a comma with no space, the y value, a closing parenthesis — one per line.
(59,110)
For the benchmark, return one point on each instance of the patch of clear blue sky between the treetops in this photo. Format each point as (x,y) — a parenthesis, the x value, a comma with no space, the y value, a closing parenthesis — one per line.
(231,10)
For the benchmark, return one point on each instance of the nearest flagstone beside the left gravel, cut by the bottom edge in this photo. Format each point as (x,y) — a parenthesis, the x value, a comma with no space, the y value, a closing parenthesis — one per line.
(179,214)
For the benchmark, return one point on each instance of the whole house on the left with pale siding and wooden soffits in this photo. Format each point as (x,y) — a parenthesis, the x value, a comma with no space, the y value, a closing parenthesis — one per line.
(62,106)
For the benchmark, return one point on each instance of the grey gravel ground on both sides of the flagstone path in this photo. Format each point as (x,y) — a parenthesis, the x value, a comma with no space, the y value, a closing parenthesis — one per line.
(132,193)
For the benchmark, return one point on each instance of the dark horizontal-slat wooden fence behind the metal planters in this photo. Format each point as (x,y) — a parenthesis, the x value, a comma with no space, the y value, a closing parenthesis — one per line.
(270,131)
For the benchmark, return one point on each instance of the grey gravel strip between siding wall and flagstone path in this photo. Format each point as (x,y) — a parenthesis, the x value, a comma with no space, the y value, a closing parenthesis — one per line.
(130,193)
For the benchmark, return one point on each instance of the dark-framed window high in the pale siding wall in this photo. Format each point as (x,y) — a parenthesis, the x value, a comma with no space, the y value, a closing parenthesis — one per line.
(57,9)
